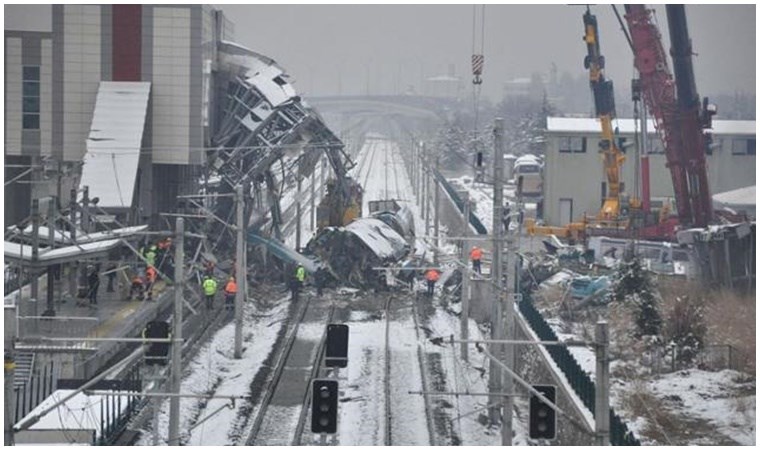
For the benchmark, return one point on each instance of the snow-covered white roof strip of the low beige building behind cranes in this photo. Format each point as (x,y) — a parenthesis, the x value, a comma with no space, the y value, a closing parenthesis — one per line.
(591,125)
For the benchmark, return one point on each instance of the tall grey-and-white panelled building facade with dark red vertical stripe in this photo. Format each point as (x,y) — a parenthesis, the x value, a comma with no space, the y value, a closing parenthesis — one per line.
(52,80)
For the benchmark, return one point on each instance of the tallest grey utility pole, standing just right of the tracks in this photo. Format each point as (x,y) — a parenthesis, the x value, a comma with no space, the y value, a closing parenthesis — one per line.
(497,322)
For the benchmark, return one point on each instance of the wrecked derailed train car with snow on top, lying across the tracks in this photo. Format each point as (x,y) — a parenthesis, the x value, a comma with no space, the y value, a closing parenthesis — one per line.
(354,254)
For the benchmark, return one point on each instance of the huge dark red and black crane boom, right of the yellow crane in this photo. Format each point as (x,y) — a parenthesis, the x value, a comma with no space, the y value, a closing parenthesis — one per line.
(678,120)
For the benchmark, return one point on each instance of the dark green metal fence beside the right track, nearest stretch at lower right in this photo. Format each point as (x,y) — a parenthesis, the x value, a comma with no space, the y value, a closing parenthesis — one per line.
(578,379)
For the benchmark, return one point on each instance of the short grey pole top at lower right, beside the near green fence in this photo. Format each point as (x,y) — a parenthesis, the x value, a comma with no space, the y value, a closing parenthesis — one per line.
(602,406)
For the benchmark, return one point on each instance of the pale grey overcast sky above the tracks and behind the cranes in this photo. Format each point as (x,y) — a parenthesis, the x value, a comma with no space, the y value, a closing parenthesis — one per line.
(340,48)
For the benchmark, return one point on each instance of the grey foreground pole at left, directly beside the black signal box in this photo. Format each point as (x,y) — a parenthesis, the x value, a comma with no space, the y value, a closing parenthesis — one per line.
(179,285)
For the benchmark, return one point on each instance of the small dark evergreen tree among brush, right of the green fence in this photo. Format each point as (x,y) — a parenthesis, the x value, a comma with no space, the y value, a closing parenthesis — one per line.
(632,283)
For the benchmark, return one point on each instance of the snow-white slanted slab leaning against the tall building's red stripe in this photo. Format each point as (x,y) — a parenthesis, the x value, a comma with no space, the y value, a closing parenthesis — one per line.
(113,147)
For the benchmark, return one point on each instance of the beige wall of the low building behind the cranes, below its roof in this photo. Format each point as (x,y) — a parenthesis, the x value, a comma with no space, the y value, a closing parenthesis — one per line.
(579,176)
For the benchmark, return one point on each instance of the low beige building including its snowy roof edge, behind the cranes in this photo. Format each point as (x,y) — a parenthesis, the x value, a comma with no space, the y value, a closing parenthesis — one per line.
(574,179)
